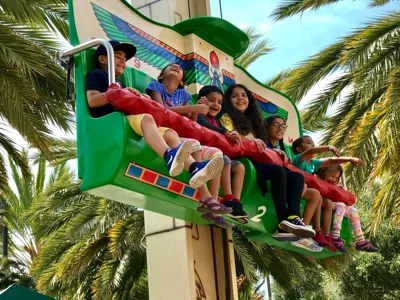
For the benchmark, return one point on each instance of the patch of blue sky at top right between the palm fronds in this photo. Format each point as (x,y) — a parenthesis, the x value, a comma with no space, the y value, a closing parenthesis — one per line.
(296,38)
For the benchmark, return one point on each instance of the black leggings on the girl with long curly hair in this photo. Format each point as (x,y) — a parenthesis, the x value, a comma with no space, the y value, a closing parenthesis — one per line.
(286,189)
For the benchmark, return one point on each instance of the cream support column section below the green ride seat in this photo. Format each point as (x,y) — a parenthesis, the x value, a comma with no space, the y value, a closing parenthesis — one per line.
(188,261)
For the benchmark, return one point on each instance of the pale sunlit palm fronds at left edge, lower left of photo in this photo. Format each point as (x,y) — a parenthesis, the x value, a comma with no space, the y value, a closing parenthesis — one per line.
(21,241)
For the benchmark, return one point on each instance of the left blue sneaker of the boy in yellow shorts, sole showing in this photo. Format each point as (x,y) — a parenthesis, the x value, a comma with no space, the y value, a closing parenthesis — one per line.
(176,158)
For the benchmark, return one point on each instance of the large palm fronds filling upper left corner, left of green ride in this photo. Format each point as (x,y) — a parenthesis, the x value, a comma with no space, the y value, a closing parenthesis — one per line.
(31,81)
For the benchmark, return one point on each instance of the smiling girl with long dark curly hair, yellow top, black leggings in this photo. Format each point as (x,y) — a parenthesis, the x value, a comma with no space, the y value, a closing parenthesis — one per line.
(243,115)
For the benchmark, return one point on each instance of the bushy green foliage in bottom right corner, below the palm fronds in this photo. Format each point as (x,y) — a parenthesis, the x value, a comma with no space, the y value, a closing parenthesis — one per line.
(366,275)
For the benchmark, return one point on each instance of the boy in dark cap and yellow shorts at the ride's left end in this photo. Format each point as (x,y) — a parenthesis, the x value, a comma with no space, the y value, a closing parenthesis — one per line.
(164,141)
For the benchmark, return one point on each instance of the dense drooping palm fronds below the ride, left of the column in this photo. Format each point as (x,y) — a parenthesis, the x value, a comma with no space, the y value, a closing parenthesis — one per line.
(89,247)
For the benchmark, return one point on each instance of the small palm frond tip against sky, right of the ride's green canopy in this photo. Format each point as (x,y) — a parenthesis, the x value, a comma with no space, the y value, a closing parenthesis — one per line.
(258,47)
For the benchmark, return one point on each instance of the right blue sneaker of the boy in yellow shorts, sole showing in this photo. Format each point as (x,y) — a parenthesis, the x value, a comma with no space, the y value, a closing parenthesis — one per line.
(206,170)
